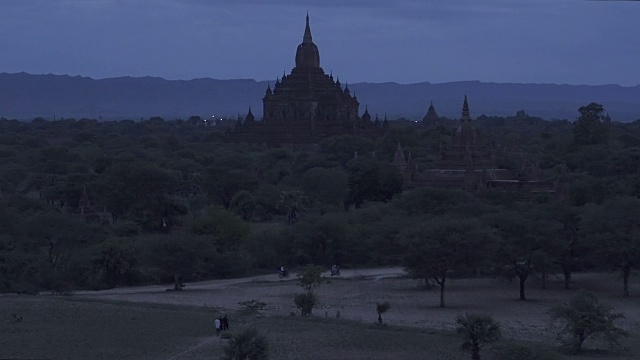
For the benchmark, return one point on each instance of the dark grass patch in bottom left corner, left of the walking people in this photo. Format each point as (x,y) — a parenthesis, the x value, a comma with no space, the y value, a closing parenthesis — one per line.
(62,328)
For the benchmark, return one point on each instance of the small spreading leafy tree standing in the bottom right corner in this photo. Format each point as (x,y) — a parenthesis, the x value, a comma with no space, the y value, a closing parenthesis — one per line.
(584,317)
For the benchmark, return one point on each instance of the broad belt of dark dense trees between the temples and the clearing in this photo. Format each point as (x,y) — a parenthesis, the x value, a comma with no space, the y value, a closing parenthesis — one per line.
(171,201)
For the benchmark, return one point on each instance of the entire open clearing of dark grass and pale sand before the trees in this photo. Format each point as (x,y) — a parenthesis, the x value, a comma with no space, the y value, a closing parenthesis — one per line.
(150,323)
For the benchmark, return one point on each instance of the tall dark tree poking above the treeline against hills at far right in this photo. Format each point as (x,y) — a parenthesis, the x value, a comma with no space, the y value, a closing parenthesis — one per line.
(589,128)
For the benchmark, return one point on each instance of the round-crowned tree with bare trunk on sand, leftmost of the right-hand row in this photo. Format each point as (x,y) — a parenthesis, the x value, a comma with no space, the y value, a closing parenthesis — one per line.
(440,247)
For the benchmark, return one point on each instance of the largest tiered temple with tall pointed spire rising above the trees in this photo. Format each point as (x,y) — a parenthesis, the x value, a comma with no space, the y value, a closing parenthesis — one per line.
(306,106)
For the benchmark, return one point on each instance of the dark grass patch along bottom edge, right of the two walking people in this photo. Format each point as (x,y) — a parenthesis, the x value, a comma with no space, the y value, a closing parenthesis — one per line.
(311,338)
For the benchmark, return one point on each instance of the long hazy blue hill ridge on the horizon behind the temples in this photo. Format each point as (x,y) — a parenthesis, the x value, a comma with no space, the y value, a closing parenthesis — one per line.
(26,96)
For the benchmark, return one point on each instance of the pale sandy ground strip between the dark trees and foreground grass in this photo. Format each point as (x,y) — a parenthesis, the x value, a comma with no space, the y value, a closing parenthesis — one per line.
(354,296)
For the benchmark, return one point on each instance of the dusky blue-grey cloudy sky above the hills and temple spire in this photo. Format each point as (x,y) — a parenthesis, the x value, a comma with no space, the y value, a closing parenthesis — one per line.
(403,41)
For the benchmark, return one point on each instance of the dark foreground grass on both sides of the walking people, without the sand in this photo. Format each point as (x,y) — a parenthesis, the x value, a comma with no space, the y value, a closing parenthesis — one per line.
(68,328)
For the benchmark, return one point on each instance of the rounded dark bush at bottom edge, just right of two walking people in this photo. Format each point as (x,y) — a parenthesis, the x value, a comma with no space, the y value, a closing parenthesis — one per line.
(247,344)
